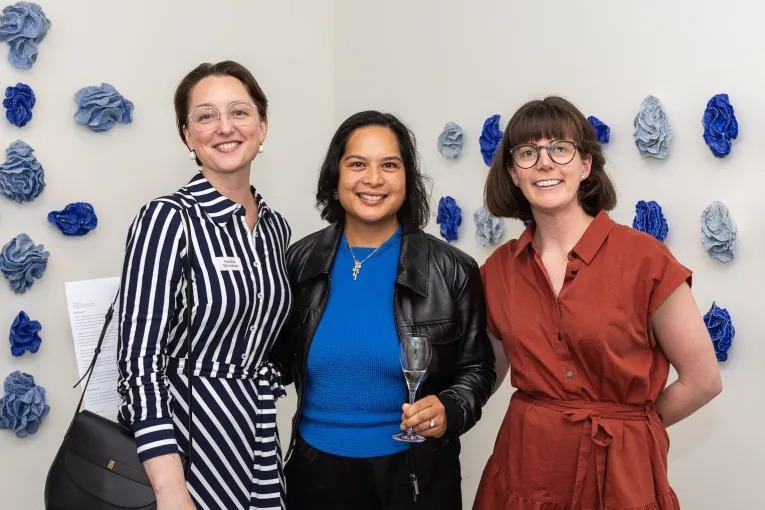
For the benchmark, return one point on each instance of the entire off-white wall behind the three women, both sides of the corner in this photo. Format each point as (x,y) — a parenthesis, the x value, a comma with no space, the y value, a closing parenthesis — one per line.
(430,62)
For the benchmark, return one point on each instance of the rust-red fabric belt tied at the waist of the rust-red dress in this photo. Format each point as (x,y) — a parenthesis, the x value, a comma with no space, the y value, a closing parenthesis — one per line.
(597,421)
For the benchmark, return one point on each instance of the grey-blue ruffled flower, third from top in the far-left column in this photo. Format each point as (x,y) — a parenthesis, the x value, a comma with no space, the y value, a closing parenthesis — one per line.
(22,178)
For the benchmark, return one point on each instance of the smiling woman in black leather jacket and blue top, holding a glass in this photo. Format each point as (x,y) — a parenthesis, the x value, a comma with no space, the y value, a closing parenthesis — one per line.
(359,285)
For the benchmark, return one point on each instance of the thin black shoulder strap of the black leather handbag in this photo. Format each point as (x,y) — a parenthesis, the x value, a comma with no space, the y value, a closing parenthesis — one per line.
(190,362)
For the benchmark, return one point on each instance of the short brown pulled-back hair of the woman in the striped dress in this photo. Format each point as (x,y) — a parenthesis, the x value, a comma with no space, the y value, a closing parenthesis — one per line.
(202,71)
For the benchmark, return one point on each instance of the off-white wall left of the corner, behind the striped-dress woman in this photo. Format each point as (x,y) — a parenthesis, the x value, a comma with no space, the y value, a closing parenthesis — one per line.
(143,47)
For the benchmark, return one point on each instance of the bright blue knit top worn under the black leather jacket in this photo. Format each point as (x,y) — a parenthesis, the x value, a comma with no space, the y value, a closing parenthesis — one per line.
(354,384)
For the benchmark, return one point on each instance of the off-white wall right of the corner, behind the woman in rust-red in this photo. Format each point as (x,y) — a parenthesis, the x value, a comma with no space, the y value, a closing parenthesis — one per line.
(435,61)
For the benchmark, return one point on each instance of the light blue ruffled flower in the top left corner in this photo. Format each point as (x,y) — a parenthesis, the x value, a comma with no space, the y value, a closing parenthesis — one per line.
(23,26)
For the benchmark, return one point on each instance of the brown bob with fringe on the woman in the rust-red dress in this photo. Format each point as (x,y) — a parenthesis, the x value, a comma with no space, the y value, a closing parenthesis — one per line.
(553,118)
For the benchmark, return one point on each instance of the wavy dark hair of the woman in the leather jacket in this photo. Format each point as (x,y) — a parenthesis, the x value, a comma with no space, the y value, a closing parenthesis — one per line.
(415,210)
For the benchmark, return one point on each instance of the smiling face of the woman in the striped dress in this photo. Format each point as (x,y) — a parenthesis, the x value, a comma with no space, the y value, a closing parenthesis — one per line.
(227,149)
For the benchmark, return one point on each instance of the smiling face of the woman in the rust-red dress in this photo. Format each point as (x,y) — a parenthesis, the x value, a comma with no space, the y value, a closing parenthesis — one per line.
(551,187)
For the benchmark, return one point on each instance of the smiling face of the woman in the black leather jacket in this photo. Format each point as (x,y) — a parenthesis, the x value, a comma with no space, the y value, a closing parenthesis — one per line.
(372,183)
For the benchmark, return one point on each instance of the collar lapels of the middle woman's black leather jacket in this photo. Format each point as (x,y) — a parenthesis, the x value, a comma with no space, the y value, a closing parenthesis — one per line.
(413,267)
